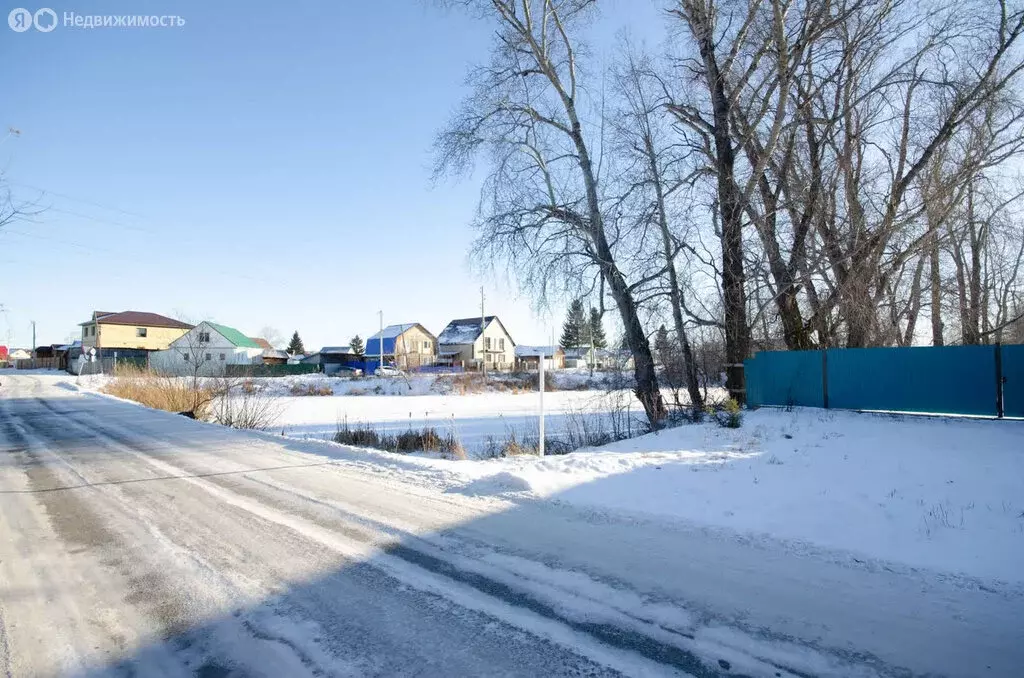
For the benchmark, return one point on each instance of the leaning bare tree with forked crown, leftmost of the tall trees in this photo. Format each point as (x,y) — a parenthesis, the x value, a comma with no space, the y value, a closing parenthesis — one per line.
(543,207)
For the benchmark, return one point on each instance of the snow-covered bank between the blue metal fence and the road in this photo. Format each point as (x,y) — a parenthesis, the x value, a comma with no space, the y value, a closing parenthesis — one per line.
(943,494)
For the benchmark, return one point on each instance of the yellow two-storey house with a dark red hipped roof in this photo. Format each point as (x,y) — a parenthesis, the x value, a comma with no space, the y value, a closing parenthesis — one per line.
(132,331)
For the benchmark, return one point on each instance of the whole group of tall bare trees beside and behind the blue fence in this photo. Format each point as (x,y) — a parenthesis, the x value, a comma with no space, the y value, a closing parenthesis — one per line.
(780,175)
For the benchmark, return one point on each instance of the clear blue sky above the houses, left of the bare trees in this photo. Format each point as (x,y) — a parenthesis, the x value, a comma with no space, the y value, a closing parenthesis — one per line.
(267,164)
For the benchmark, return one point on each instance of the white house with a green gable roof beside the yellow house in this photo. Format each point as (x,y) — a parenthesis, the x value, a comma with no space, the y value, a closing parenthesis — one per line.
(209,346)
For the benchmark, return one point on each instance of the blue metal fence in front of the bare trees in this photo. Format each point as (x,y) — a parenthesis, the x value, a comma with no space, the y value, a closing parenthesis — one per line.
(969,380)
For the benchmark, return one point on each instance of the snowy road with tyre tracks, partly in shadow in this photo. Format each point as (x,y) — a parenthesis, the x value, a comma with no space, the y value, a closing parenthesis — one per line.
(137,542)
